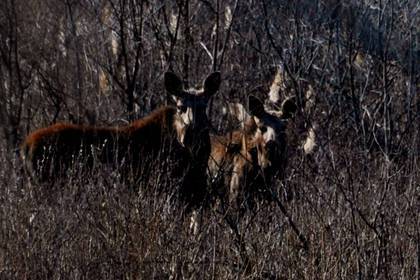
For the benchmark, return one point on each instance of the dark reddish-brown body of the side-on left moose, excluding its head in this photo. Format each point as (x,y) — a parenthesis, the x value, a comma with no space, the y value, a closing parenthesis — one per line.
(50,152)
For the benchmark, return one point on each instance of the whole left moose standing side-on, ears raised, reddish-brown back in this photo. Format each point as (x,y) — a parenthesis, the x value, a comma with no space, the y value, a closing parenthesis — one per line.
(180,132)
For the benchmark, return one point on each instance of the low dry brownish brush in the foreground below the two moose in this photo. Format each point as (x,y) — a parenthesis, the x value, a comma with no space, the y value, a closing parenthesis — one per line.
(359,221)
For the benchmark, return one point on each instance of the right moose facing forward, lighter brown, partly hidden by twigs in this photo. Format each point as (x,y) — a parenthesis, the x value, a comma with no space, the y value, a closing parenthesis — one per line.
(247,160)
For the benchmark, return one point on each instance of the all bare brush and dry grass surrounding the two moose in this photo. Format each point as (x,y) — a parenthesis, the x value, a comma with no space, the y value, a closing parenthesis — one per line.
(355,198)
